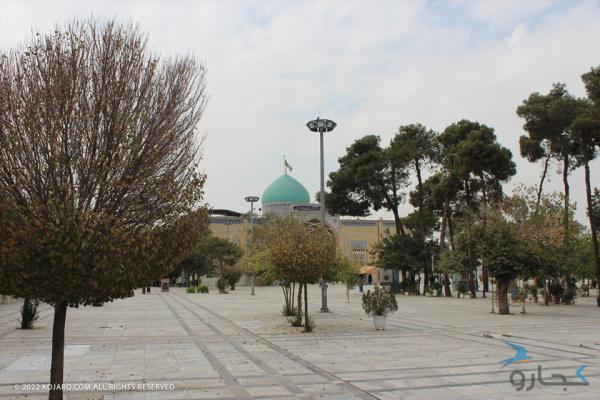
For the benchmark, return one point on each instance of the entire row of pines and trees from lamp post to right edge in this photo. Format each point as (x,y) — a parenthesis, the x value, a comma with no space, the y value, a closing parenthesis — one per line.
(467,167)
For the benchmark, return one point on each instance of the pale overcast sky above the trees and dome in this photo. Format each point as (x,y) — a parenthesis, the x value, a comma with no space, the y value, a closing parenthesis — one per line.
(370,66)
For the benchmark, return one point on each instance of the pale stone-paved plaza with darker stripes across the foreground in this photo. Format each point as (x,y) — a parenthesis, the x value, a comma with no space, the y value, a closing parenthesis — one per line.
(237,346)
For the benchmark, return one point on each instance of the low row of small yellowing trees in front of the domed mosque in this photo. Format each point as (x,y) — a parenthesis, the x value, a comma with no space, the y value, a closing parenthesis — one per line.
(288,252)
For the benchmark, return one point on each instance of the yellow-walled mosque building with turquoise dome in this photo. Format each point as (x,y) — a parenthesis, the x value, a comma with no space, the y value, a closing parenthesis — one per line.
(287,197)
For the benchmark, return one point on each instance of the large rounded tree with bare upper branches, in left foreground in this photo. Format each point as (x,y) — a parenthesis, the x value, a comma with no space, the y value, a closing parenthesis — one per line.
(98,161)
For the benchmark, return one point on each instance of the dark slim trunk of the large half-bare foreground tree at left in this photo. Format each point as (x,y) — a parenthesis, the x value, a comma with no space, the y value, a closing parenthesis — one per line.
(58,352)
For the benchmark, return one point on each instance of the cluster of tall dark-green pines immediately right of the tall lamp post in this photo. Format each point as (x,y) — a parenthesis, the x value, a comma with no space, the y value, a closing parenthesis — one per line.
(469,167)
